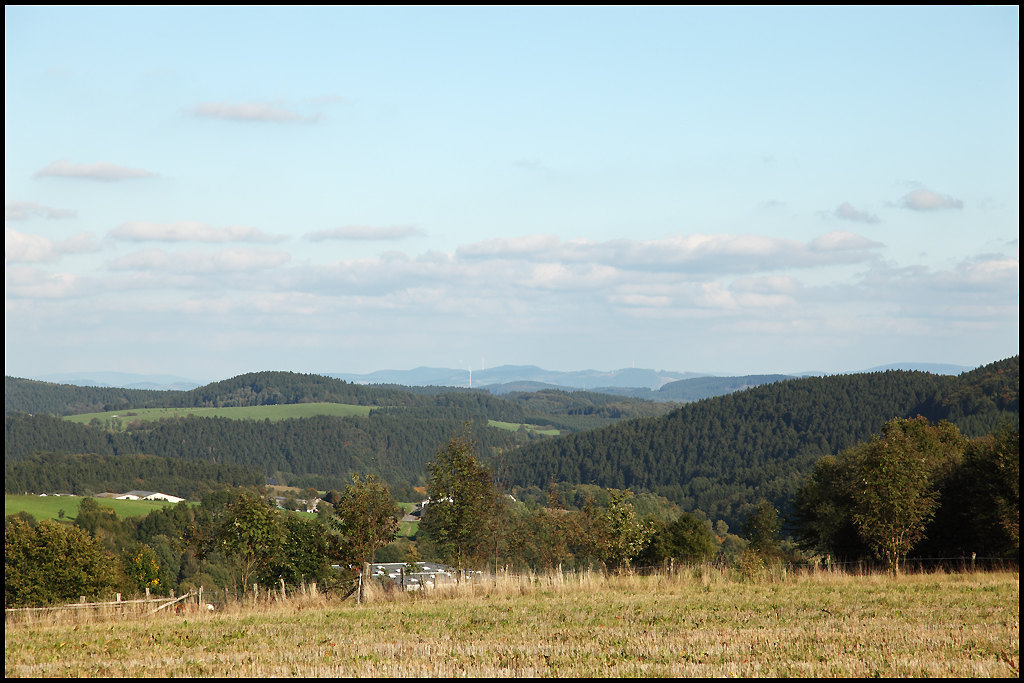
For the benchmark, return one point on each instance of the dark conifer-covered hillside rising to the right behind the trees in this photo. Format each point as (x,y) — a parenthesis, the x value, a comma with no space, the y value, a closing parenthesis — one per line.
(721,455)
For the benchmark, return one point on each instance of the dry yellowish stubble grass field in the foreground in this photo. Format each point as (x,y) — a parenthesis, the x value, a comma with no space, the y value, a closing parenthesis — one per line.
(702,622)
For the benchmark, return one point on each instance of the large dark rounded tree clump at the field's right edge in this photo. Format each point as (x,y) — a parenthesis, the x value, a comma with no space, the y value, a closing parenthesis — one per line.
(919,489)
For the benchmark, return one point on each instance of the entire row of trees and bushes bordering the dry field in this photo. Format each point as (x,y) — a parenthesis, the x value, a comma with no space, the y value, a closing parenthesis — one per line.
(918,487)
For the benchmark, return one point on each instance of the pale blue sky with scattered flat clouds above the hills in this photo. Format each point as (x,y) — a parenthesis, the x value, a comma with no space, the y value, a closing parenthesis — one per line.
(206,192)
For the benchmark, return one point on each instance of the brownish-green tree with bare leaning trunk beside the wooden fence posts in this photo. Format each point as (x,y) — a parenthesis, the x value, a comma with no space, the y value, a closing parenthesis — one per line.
(366,519)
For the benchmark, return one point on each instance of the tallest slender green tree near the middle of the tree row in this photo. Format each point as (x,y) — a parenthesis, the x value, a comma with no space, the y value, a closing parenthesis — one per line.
(462,503)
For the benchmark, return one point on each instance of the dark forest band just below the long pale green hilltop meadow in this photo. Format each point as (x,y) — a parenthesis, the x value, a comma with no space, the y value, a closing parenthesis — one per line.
(321,451)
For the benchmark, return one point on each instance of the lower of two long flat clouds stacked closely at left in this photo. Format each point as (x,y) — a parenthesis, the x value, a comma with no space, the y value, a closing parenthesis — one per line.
(199,263)
